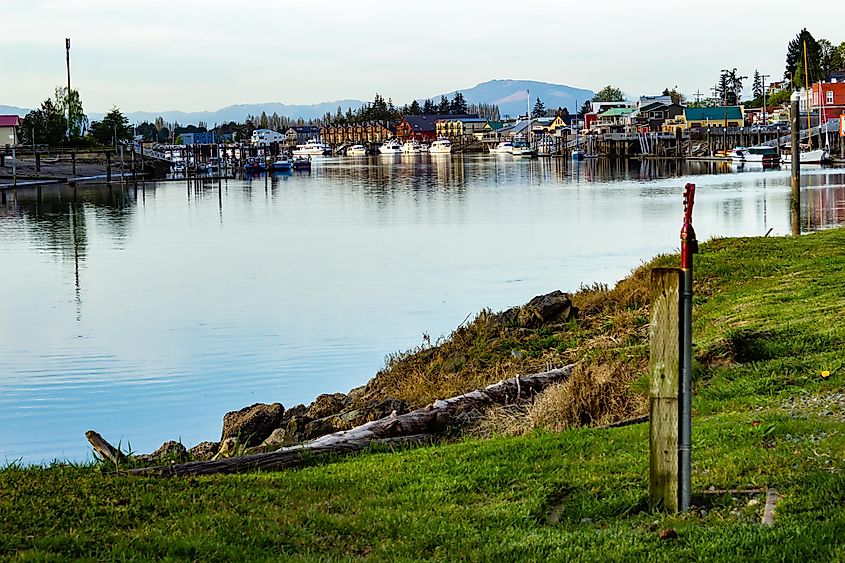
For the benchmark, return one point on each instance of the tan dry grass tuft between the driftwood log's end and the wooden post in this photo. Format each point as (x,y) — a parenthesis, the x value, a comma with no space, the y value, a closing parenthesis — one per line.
(595,394)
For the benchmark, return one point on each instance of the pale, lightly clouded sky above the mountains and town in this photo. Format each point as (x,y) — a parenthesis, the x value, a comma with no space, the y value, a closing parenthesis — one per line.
(158,55)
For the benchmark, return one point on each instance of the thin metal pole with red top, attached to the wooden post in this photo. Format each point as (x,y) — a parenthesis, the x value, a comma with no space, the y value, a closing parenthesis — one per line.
(689,246)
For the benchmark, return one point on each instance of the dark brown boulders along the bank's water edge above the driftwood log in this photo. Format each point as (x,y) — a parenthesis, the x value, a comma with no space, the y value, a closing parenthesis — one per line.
(263,427)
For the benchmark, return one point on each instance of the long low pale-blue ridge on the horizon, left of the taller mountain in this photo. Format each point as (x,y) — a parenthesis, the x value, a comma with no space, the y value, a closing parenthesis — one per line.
(240,112)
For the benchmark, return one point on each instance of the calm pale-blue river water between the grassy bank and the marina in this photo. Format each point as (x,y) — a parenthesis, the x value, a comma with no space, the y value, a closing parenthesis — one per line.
(147,314)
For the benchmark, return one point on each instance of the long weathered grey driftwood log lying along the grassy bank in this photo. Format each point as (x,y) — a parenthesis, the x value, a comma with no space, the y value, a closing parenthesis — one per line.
(410,427)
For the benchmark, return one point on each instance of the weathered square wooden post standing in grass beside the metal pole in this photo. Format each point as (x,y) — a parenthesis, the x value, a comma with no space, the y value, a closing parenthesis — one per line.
(664,367)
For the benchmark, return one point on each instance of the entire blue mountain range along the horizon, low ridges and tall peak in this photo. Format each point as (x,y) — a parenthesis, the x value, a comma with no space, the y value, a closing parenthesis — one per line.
(509,95)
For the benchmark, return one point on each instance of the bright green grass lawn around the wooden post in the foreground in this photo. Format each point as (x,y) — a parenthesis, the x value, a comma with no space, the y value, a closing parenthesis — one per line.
(767,322)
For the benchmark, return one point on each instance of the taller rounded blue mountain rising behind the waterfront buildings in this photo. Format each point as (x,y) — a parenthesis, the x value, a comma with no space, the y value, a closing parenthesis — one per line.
(510,95)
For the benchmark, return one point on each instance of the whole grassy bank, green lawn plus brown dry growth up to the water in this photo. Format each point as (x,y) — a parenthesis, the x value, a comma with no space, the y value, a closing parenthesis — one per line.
(529,480)
